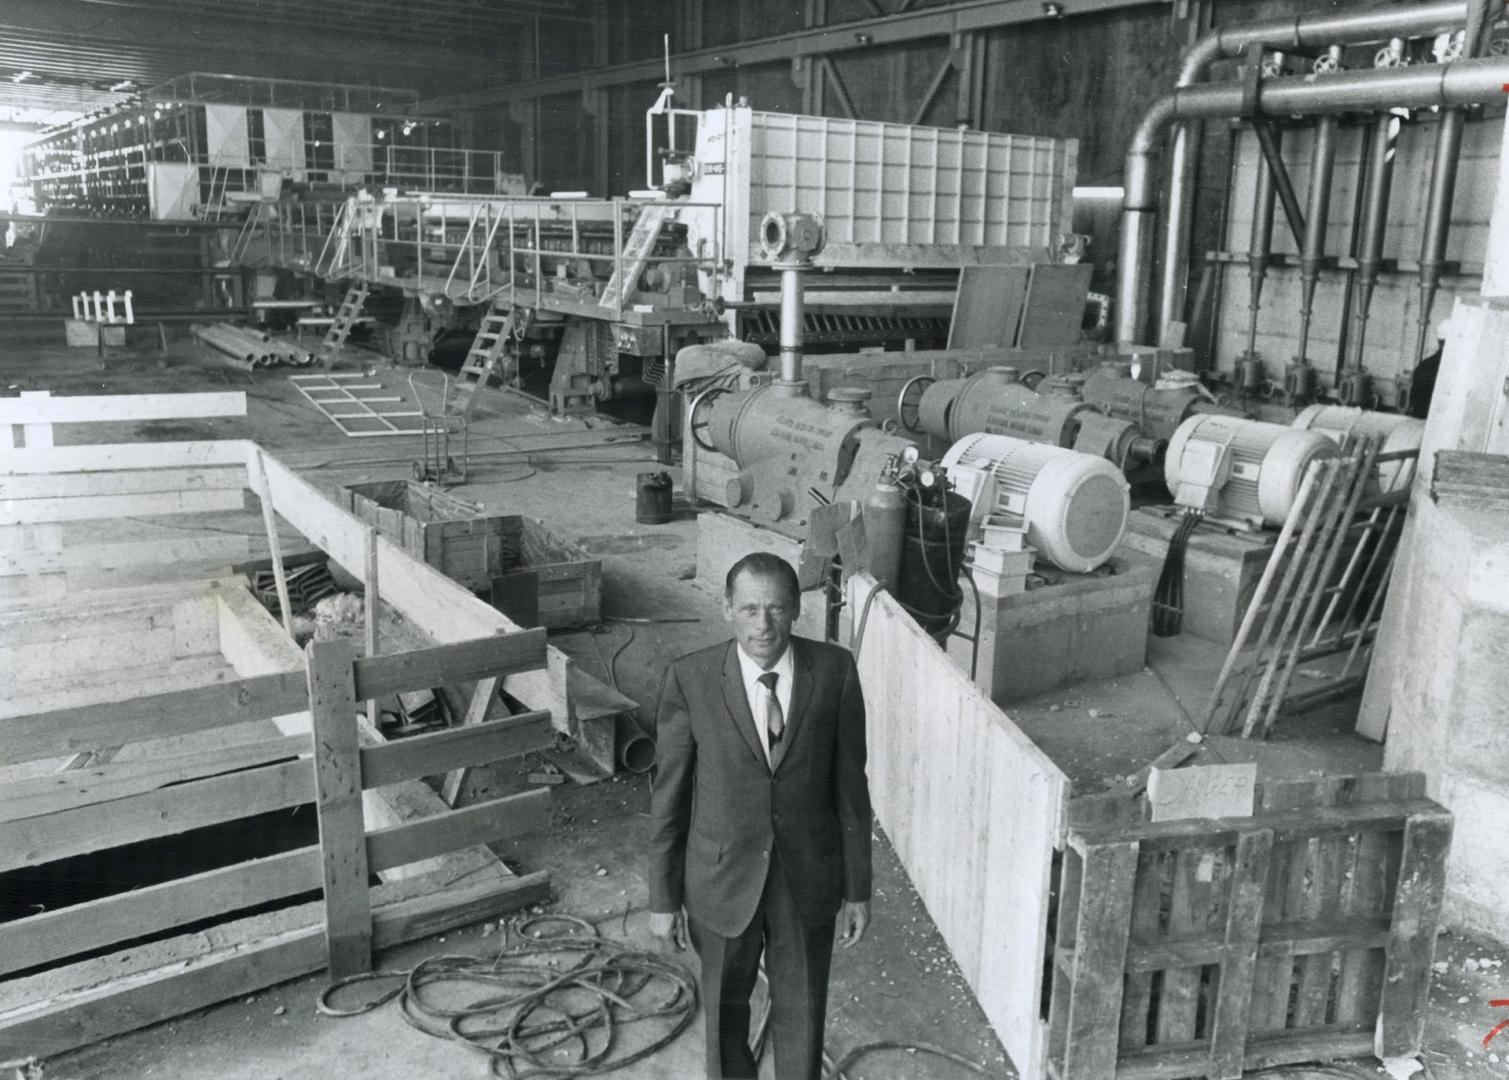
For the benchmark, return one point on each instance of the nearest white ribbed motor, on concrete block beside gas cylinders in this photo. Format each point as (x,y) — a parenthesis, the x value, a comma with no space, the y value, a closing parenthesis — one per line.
(1072,506)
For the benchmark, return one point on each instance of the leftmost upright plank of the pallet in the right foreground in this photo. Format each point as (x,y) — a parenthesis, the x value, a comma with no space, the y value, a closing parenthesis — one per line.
(1101,954)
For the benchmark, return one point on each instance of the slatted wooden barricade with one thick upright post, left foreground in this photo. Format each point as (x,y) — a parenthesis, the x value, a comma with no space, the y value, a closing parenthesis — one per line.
(91,811)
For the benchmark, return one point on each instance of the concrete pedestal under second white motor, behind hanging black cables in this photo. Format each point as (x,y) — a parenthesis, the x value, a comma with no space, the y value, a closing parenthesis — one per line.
(1222,568)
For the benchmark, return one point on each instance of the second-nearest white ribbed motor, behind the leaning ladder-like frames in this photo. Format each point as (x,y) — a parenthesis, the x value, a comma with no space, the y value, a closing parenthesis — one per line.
(1241,470)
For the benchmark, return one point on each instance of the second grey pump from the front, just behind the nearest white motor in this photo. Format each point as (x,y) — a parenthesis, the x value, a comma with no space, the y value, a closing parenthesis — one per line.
(998,402)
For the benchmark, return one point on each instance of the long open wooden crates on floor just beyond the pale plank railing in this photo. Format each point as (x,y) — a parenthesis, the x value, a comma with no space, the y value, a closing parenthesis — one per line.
(518,562)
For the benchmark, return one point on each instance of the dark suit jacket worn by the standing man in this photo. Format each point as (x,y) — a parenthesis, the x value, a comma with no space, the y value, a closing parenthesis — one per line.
(718,812)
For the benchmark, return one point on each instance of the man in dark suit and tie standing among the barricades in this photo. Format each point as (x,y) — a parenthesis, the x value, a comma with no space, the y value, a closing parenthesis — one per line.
(760,820)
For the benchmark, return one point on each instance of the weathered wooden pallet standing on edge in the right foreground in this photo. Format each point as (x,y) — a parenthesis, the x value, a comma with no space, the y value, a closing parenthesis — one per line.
(1211,947)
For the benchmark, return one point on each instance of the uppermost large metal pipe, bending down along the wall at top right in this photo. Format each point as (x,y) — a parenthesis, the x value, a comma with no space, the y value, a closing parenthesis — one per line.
(1295,32)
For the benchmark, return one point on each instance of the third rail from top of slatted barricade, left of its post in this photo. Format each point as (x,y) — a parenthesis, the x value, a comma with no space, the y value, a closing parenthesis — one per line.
(54,936)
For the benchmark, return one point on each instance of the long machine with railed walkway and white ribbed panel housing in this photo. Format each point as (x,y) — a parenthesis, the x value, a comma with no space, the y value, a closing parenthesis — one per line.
(613,289)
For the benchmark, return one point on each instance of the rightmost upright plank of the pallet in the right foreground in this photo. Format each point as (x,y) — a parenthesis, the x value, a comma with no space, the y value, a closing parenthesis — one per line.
(1412,942)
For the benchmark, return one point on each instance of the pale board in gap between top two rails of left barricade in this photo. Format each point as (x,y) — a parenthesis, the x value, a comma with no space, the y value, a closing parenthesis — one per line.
(76,788)
